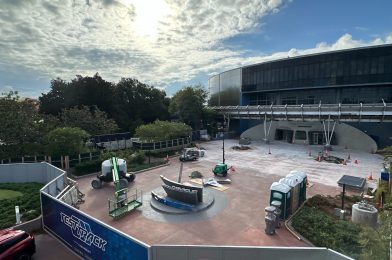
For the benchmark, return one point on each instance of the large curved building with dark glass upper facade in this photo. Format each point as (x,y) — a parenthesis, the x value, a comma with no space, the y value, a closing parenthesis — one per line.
(353,76)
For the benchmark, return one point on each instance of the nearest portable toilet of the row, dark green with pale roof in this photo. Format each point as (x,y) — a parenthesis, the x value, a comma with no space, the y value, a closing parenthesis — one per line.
(282,193)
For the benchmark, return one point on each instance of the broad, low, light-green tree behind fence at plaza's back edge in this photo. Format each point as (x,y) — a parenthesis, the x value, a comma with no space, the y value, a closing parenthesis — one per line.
(162,130)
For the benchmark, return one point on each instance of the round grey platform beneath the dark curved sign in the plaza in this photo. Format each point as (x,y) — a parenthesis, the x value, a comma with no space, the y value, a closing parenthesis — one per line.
(208,200)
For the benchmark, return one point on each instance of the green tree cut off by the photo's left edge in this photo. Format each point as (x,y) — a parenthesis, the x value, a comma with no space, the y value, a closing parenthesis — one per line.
(19,123)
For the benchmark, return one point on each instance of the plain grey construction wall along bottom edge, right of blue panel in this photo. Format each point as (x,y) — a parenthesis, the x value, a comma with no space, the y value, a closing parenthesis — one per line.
(243,253)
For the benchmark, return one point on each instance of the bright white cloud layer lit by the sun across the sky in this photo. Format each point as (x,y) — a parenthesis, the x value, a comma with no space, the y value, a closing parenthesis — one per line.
(159,42)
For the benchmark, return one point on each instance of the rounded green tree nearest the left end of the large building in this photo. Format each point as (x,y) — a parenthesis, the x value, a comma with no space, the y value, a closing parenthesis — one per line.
(187,105)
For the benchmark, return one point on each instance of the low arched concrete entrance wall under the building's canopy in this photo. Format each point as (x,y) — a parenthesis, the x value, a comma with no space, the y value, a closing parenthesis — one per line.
(346,135)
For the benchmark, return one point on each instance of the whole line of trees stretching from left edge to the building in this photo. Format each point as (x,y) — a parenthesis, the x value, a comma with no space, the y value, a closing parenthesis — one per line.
(71,111)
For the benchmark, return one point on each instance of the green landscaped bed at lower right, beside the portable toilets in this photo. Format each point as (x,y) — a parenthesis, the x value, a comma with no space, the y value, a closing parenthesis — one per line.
(317,222)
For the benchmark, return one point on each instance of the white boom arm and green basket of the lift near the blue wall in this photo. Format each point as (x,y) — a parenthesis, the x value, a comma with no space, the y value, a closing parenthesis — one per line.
(124,200)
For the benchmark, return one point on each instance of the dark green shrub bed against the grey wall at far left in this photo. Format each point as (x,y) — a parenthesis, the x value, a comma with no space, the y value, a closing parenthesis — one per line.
(29,203)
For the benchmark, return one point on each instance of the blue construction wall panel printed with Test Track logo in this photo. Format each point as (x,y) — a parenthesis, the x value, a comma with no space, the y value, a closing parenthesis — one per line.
(85,236)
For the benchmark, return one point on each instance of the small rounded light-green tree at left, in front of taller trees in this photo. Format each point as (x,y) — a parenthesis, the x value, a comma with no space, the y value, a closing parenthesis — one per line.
(66,141)
